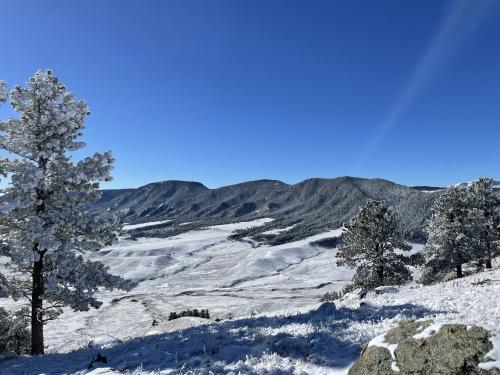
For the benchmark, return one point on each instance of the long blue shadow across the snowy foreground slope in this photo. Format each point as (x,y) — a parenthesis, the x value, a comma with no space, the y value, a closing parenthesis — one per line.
(323,336)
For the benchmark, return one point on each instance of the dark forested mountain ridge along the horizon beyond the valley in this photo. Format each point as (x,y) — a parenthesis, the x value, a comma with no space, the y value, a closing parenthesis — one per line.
(305,208)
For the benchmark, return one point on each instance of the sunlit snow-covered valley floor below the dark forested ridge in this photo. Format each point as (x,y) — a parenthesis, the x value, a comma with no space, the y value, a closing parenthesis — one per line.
(204,270)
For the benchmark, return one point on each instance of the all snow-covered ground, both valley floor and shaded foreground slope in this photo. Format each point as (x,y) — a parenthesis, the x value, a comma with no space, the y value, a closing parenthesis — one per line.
(267,298)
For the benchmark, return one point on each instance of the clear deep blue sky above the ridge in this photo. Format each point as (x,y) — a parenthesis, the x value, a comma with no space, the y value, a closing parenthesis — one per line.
(226,91)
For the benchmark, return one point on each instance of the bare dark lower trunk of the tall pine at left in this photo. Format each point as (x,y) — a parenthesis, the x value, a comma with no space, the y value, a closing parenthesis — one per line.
(36,308)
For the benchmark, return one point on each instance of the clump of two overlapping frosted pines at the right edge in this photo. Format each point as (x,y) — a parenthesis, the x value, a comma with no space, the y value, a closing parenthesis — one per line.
(464,227)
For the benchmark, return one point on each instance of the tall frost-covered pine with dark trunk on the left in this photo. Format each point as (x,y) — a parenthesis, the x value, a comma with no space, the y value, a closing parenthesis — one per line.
(47,231)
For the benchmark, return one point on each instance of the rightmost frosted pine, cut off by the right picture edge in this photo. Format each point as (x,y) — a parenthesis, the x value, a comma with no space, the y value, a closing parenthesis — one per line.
(484,221)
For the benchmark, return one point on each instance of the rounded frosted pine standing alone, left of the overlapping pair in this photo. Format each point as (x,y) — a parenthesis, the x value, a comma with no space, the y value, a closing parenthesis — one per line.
(369,241)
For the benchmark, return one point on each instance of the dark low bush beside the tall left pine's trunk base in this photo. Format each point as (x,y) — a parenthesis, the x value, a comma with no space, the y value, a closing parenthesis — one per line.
(14,333)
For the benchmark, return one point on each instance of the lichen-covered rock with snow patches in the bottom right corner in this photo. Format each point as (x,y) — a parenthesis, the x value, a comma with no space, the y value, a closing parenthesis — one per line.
(450,349)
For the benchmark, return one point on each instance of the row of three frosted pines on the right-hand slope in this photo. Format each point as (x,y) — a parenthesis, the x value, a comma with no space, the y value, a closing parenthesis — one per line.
(464,228)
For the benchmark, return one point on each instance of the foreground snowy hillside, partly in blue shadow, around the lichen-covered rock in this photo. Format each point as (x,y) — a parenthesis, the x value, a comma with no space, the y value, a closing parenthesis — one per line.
(316,339)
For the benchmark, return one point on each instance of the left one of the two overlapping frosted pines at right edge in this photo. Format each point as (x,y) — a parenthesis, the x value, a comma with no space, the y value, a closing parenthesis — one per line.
(449,243)
